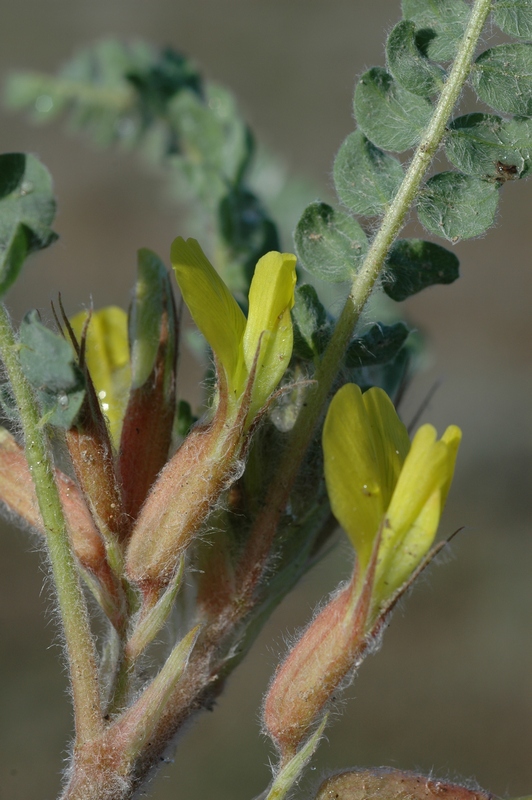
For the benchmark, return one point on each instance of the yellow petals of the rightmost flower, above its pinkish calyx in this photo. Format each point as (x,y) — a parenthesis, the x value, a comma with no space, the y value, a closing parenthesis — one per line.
(379,483)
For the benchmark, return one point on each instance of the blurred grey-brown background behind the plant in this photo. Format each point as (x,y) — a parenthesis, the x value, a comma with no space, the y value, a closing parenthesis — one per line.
(451,690)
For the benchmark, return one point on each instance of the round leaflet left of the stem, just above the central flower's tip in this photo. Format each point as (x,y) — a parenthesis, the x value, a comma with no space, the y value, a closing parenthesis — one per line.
(329,243)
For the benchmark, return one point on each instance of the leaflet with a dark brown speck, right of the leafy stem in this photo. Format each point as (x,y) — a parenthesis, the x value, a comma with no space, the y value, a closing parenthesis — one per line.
(490,147)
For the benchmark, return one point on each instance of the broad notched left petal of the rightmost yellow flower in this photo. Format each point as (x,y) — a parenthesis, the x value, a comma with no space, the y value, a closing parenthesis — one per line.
(364,445)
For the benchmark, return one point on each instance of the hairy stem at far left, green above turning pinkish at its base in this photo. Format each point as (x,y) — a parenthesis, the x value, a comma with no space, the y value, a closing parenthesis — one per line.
(79,641)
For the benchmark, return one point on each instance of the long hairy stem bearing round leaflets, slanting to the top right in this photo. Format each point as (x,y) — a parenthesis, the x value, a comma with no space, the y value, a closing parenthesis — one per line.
(266,524)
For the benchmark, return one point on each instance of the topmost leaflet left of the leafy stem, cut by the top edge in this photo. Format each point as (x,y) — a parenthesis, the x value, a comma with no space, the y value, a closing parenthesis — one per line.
(441,25)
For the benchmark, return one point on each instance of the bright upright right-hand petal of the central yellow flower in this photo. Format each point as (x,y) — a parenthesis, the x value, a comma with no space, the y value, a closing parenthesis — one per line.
(269,325)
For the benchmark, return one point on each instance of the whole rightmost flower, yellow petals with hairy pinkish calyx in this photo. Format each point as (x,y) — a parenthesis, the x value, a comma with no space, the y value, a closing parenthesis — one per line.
(388,494)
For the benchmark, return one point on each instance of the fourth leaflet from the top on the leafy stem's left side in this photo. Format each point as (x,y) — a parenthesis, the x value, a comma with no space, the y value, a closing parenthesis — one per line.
(366,179)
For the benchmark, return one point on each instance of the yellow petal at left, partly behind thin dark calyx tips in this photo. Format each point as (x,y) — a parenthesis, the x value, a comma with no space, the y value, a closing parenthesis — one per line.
(107,356)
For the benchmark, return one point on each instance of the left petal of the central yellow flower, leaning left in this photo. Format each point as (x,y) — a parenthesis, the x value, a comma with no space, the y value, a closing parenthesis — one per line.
(211,304)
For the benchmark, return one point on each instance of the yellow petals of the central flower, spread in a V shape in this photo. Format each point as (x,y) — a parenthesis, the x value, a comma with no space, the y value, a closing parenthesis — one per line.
(262,342)
